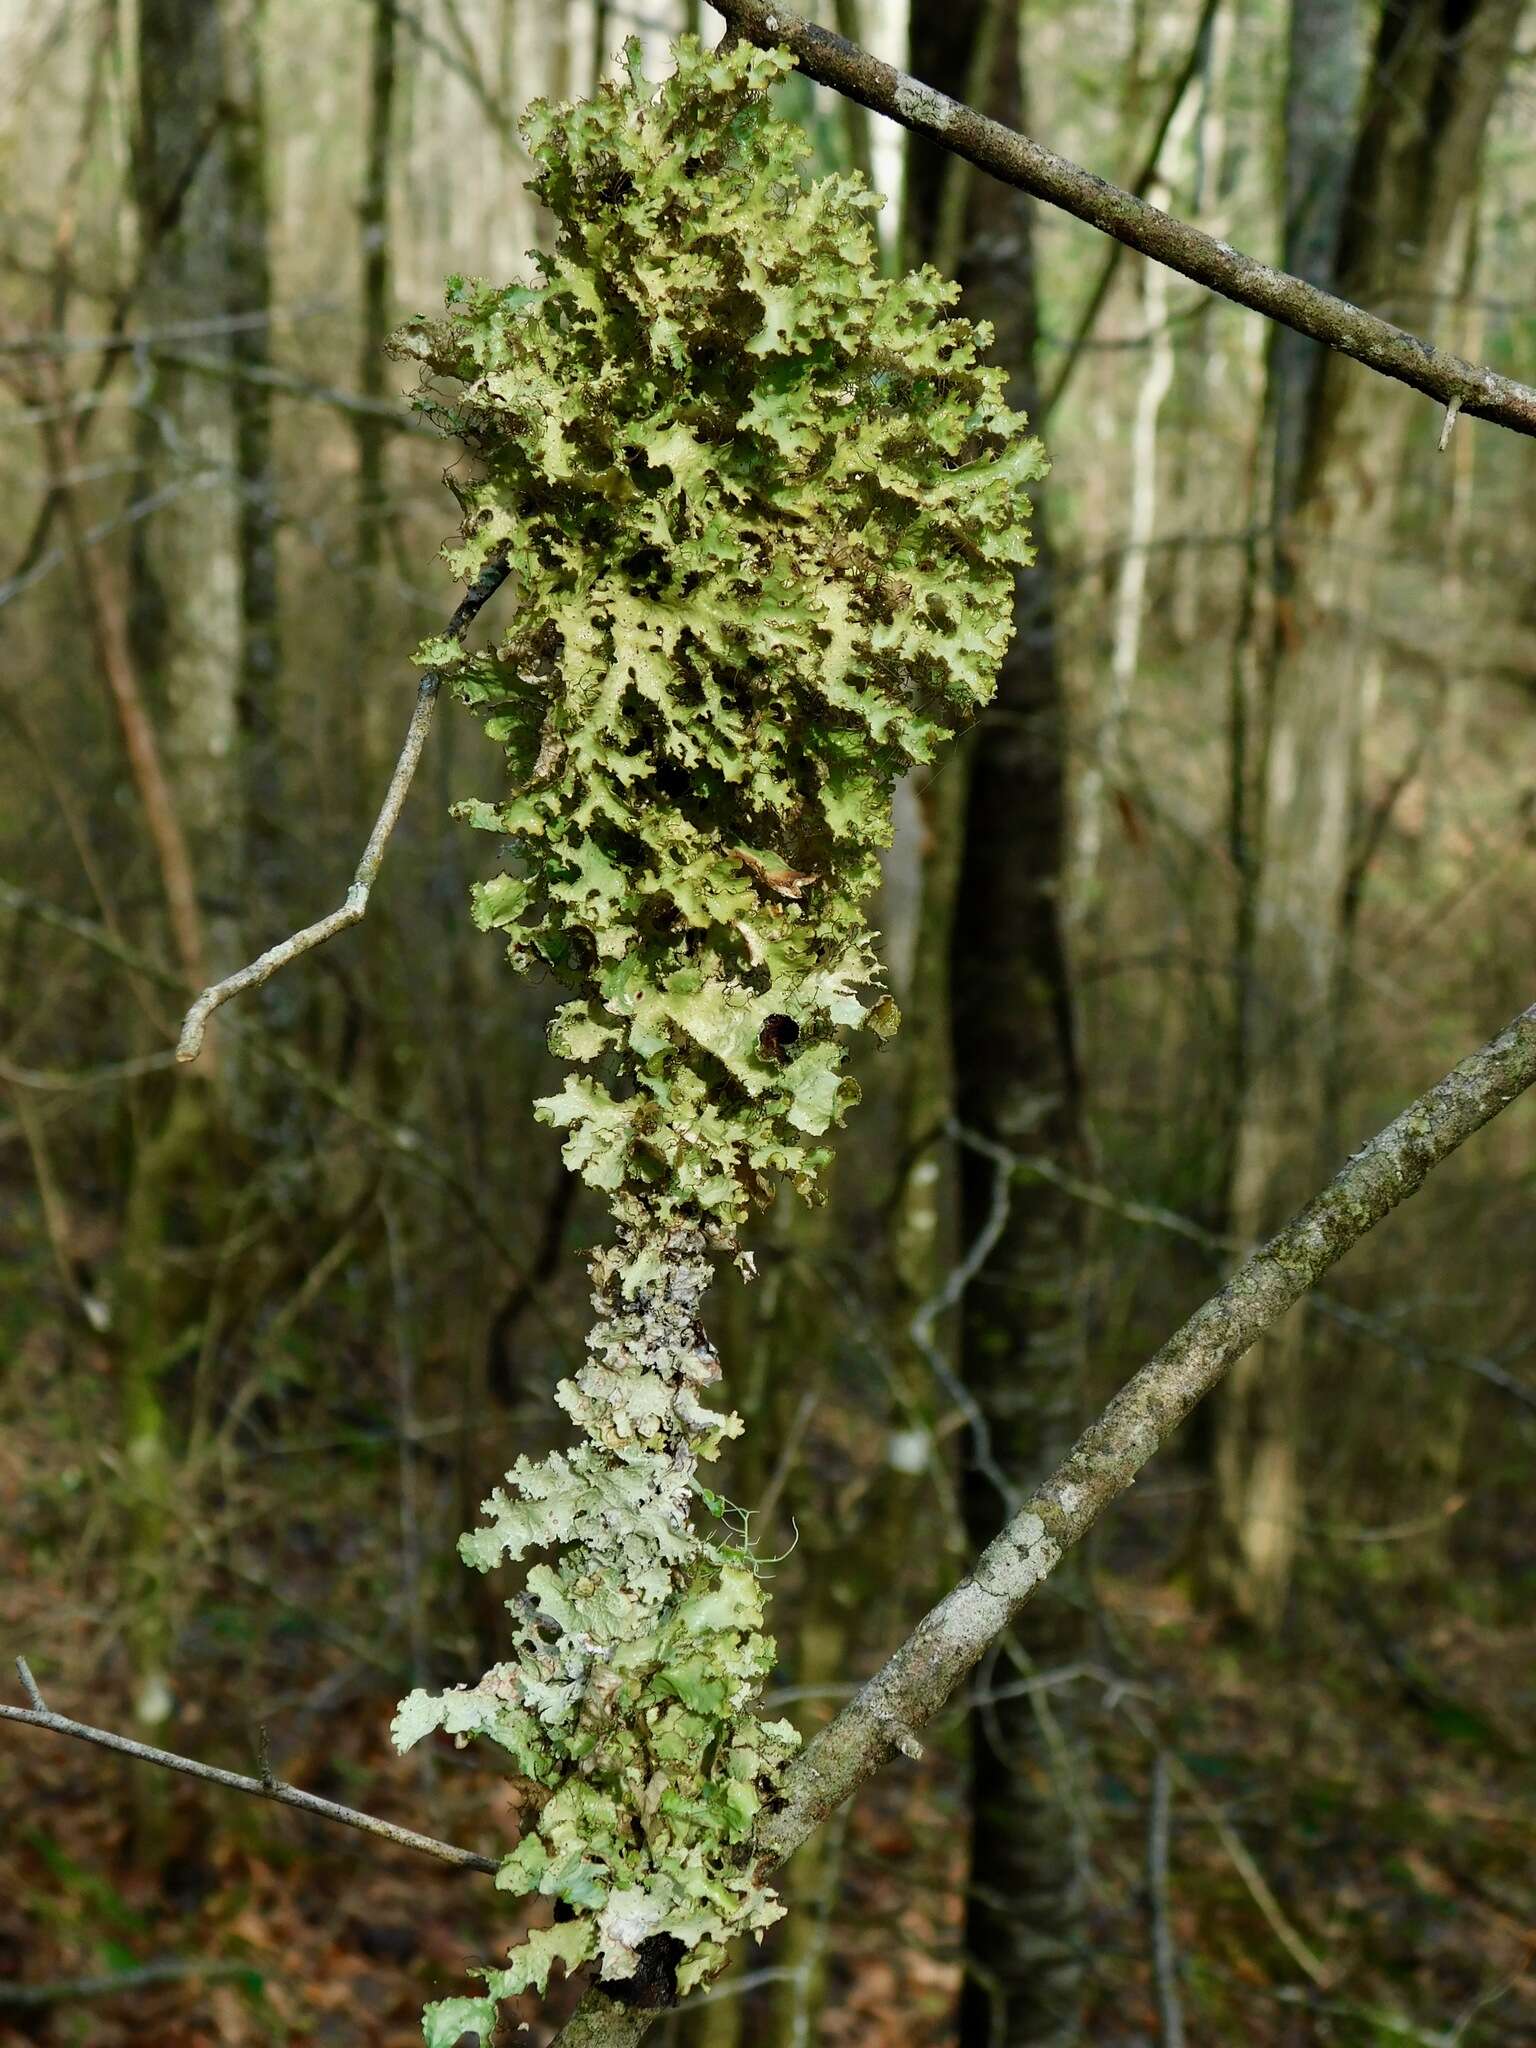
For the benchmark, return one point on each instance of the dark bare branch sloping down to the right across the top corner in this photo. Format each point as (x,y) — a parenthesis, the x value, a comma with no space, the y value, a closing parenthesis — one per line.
(1007,155)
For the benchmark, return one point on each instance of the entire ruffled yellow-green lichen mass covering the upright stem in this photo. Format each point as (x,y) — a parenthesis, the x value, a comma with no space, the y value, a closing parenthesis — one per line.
(763,513)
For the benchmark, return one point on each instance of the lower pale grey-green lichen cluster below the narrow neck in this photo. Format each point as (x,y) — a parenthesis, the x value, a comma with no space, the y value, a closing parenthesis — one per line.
(638,1650)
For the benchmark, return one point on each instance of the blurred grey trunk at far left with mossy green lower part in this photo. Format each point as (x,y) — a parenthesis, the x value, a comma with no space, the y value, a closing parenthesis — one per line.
(206,644)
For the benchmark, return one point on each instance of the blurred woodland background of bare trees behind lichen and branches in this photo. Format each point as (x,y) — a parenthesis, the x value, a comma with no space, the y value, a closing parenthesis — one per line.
(1242,859)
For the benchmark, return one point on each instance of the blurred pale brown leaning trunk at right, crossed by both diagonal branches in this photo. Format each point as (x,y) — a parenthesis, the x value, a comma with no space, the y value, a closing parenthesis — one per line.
(1431,91)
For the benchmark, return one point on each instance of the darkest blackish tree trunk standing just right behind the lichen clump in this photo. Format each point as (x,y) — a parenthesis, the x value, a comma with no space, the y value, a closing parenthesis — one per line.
(1015,1084)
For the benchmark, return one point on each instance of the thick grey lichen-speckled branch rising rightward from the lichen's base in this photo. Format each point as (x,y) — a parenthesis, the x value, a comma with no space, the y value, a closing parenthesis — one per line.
(1107,1459)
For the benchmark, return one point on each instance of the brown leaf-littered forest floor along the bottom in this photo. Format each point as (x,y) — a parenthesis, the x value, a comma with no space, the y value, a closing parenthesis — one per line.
(1353,1830)
